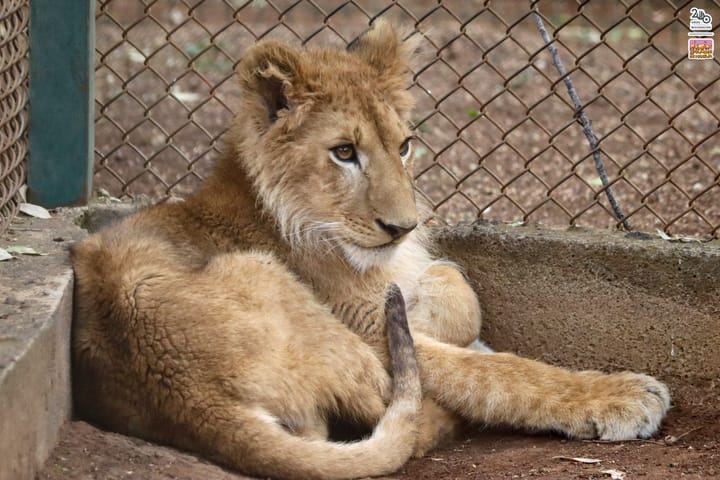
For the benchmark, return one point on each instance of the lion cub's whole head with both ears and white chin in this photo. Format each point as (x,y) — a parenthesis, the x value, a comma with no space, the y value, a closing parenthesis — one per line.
(324,136)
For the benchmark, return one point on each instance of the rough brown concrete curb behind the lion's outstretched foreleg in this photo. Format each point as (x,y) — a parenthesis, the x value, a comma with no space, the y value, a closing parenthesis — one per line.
(598,299)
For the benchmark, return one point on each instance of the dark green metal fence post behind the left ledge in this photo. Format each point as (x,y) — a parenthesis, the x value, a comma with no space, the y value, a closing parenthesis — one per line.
(61,133)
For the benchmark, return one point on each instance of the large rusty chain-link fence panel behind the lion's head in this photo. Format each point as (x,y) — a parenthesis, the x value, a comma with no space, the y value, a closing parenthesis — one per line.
(498,136)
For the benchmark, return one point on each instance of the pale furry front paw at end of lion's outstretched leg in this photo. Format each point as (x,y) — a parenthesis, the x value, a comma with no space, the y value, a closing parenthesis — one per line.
(623,406)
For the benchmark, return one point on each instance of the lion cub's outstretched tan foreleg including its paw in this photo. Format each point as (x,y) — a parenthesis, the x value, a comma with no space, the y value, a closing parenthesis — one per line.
(501,388)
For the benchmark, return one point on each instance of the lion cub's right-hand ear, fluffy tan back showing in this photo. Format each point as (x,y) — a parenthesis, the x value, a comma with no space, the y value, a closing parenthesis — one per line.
(383,48)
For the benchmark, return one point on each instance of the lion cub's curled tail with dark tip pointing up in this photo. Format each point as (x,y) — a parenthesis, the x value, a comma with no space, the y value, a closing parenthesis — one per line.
(268,449)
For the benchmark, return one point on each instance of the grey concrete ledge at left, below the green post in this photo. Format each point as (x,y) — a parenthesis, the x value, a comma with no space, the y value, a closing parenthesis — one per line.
(35,316)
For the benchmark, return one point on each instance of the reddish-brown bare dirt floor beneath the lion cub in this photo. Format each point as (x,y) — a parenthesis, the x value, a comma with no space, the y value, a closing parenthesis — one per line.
(687,447)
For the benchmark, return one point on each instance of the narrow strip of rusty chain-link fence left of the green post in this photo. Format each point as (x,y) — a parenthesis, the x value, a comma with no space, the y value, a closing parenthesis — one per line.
(14,16)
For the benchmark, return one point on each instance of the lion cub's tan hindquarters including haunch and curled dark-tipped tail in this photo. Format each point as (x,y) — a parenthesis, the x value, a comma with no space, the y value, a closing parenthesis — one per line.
(238,360)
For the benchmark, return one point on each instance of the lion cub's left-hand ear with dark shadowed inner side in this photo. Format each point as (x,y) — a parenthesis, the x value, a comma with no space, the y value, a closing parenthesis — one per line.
(271,71)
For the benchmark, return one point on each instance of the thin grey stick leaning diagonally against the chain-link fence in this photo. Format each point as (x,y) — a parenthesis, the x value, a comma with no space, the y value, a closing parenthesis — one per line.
(584,121)
